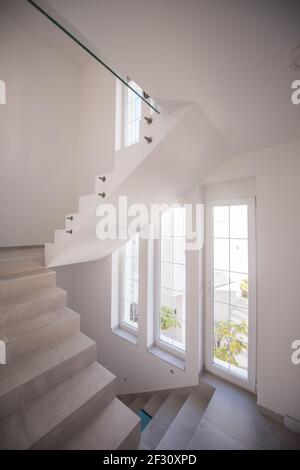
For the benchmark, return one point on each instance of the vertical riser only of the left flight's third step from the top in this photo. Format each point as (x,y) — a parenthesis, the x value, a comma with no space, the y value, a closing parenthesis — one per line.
(33,308)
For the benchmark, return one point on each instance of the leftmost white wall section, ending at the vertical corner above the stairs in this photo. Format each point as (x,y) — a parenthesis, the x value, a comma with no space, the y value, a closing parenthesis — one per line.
(38,128)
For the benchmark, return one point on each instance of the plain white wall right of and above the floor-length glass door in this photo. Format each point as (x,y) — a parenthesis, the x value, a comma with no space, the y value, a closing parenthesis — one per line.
(277,172)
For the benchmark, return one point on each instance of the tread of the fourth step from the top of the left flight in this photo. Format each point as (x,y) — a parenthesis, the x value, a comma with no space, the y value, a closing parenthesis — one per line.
(22,328)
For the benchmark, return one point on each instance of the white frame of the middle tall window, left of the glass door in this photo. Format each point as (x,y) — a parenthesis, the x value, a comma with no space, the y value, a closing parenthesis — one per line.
(169,348)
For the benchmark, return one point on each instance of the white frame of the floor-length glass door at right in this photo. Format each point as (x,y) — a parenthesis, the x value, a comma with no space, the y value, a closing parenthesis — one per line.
(250,383)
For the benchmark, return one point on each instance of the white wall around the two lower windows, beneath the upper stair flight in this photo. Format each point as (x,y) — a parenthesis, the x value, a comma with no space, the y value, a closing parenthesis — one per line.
(89,288)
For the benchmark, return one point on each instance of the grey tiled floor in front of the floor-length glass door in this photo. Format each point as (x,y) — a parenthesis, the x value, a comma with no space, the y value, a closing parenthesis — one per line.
(232,420)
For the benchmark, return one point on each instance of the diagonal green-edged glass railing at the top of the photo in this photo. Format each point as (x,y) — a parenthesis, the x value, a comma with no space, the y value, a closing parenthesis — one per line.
(82,42)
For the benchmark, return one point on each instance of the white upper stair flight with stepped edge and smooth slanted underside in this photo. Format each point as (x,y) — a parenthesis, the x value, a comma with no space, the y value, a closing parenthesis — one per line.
(185,148)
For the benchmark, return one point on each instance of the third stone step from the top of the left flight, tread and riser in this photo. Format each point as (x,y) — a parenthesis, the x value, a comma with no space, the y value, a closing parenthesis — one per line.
(31,304)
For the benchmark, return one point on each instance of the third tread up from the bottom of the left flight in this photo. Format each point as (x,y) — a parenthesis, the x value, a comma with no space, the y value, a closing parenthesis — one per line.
(26,368)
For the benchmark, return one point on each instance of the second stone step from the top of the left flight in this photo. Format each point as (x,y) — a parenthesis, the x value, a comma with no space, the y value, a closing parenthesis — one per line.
(13,285)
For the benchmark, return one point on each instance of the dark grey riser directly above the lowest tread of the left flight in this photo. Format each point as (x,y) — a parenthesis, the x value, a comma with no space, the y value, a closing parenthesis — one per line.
(75,422)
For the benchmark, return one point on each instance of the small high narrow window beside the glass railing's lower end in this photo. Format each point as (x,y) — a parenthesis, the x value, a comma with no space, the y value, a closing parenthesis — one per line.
(133,114)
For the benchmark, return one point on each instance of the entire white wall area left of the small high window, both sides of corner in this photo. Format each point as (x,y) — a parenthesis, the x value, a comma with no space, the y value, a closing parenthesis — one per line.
(56,133)
